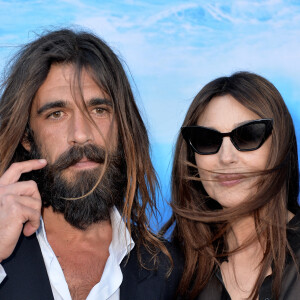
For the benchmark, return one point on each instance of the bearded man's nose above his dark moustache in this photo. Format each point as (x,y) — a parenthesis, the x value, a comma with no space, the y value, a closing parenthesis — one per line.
(80,129)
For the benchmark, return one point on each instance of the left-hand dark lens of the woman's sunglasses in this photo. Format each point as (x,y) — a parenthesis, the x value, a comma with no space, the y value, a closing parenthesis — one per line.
(204,140)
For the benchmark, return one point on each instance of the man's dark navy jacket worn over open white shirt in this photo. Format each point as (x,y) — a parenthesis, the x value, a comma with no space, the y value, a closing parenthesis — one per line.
(27,278)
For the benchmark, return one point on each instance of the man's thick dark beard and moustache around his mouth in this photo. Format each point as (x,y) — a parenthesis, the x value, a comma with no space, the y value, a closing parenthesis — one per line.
(56,190)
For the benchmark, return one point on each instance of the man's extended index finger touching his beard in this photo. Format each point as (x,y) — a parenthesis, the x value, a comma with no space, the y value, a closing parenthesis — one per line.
(14,172)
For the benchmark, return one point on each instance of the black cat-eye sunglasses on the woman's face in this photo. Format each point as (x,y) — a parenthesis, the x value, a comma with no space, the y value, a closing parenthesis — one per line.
(247,137)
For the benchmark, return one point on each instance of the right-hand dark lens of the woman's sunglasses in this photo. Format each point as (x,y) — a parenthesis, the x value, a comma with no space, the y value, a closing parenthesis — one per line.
(249,136)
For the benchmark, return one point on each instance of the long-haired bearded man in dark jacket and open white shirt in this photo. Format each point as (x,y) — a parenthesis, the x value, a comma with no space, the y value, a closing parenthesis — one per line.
(75,170)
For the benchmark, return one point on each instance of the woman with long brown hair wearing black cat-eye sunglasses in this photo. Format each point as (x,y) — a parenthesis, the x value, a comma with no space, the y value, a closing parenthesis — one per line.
(234,193)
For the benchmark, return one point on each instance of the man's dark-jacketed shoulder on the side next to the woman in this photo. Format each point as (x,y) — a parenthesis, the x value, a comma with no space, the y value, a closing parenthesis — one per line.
(146,276)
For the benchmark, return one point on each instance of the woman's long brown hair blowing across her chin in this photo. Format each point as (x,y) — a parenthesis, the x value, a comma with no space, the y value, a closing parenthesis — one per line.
(201,224)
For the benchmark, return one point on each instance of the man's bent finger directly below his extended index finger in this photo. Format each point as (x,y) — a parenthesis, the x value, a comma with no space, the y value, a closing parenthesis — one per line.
(21,188)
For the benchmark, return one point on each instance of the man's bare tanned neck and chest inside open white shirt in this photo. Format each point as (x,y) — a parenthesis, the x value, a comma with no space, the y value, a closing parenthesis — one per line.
(82,254)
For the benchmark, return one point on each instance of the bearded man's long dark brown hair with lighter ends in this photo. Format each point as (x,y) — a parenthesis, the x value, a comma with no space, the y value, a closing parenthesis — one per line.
(29,69)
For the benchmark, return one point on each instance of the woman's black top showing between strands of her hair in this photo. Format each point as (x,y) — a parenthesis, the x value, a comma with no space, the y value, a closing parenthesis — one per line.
(290,289)
